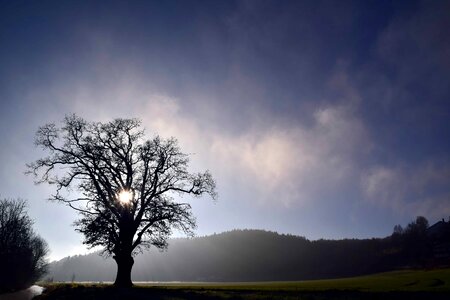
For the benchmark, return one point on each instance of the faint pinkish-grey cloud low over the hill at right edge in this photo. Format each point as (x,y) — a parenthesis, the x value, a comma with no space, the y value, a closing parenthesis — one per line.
(409,189)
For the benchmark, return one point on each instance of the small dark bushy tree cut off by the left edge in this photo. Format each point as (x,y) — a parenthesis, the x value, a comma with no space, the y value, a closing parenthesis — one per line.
(22,252)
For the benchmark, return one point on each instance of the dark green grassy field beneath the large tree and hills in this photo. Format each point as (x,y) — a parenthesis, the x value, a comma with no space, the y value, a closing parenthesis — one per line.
(433,284)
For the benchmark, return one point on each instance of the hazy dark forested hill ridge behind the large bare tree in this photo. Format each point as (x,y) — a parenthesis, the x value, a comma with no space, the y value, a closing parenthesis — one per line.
(256,255)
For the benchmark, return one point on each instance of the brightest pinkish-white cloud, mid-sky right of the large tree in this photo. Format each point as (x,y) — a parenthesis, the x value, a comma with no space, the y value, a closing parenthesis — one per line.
(298,164)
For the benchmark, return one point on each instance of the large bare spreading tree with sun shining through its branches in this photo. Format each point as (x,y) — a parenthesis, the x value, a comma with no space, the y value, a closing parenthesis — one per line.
(126,185)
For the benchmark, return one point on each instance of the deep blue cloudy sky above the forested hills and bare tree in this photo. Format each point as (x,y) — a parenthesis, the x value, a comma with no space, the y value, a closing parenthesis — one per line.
(325,119)
